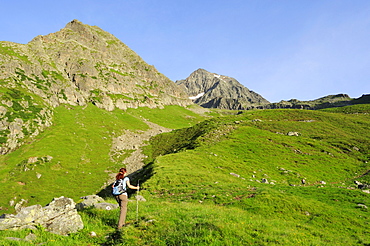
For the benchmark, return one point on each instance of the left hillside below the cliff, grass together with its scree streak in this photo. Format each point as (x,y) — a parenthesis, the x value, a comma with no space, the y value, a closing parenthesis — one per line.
(81,151)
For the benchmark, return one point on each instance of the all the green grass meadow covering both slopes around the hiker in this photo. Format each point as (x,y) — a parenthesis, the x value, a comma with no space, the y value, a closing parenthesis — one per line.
(231,179)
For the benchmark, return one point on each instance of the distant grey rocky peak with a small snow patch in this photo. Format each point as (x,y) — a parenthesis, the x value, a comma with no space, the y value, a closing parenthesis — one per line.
(211,90)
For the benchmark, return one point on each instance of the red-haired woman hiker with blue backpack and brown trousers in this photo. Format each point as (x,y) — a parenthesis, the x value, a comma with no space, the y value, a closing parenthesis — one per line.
(122,199)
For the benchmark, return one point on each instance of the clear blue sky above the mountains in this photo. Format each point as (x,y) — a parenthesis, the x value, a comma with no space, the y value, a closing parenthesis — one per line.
(281,49)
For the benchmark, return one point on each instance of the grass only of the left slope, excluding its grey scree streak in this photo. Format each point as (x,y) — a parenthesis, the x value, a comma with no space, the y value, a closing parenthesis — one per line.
(79,142)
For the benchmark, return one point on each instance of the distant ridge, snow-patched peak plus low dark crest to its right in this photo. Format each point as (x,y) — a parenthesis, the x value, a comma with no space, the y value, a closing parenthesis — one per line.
(211,90)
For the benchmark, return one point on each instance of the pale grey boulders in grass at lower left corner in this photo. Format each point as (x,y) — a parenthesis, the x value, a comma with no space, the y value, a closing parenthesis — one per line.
(59,217)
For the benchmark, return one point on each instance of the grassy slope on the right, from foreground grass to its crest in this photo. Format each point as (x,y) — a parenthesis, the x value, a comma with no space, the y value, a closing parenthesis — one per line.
(194,200)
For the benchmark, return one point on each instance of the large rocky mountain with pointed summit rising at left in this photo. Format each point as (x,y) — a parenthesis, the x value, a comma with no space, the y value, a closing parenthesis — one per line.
(76,65)
